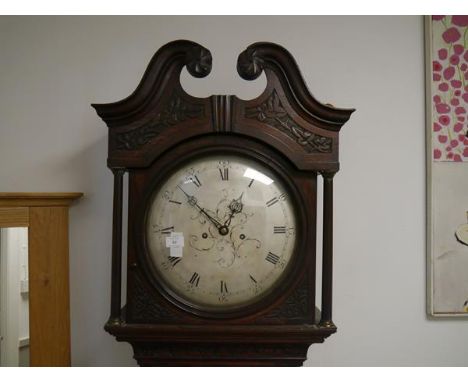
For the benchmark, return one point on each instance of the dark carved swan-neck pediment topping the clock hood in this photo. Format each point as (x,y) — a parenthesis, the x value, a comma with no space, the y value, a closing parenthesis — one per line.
(143,125)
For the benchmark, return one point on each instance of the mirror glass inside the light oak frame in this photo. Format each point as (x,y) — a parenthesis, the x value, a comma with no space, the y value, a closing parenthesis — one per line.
(14,297)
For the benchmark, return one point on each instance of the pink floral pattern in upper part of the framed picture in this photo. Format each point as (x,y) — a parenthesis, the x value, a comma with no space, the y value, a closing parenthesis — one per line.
(450,88)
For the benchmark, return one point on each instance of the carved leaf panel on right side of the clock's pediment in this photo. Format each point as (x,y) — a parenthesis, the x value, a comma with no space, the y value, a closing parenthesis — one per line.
(274,114)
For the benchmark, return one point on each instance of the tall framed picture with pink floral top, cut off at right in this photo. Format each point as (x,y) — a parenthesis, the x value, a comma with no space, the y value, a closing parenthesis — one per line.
(446,41)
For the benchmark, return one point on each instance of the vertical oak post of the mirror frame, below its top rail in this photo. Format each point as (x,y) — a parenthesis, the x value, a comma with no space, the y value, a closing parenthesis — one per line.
(49,287)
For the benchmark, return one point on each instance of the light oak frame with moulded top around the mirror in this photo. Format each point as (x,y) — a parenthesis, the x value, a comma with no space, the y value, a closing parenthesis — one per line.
(46,216)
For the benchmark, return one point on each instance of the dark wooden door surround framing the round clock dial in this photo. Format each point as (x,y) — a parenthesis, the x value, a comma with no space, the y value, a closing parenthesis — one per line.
(141,187)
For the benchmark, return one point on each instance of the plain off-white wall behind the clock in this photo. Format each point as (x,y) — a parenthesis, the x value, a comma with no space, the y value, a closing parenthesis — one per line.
(51,69)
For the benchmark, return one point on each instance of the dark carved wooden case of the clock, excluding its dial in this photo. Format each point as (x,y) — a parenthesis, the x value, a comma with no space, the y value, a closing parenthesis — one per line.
(159,127)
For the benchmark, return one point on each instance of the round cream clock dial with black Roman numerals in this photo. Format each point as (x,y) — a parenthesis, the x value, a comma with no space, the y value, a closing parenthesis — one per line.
(237,223)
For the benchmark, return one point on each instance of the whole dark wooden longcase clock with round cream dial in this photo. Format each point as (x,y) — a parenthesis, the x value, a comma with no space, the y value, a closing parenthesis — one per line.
(222,213)
